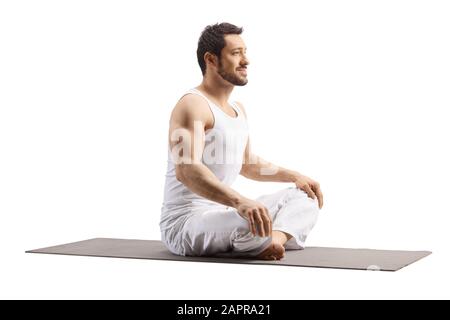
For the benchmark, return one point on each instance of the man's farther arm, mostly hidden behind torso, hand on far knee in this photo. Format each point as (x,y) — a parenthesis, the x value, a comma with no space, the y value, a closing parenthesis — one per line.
(256,168)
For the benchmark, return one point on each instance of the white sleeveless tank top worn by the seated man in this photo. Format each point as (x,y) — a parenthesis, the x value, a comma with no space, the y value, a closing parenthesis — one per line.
(223,154)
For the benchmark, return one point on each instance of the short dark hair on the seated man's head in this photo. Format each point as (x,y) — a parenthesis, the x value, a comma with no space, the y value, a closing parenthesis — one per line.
(212,40)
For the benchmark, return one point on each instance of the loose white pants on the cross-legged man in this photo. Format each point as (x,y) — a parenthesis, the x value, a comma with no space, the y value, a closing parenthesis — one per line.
(221,231)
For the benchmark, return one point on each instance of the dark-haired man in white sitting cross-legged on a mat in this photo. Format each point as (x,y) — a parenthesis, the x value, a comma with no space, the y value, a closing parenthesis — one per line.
(208,148)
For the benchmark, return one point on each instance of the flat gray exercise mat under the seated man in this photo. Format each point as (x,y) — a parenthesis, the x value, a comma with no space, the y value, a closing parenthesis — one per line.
(322,257)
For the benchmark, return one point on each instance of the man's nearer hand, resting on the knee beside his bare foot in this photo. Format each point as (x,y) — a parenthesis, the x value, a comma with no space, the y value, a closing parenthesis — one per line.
(257,215)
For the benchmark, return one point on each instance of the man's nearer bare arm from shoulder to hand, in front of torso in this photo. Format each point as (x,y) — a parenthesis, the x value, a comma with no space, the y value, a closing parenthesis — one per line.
(188,121)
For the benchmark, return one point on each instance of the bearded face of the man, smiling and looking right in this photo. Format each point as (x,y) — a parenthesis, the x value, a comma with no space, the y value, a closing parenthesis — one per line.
(233,62)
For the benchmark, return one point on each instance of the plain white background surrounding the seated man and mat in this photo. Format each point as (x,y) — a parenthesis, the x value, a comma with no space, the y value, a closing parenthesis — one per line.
(354,94)
